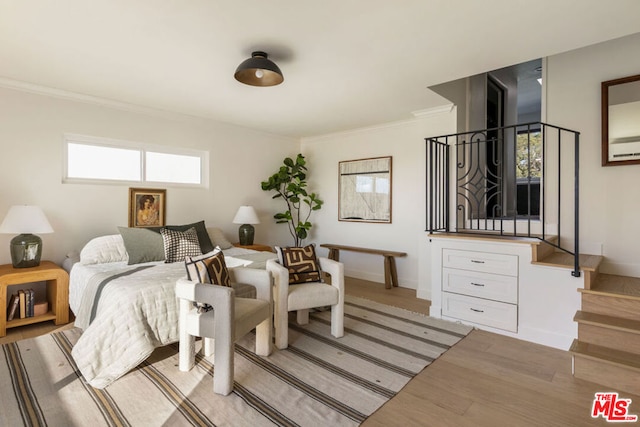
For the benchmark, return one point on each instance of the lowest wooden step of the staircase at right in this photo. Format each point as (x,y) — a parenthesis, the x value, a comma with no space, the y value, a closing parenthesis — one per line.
(611,368)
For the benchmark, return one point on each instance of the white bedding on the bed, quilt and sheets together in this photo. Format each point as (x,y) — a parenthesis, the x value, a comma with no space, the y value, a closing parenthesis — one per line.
(134,314)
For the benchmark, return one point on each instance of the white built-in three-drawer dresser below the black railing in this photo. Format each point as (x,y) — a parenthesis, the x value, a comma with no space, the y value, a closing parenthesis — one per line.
(480,287)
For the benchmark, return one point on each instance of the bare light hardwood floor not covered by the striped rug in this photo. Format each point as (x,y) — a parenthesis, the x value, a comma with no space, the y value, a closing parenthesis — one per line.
(485,380)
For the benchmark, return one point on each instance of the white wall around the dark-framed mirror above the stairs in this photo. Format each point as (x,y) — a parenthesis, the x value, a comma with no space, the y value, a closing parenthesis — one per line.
(609,197)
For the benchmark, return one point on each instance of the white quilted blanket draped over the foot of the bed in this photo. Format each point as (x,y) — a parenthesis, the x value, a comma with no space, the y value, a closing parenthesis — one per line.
(135,314)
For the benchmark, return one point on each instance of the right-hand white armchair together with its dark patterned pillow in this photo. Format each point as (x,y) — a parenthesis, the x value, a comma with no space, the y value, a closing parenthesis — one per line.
(298,286)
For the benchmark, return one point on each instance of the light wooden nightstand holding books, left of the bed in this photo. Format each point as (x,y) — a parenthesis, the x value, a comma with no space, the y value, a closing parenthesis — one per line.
(57,293)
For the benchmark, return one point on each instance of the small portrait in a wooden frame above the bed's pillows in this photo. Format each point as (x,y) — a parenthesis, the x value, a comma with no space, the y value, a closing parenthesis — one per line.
(147,207)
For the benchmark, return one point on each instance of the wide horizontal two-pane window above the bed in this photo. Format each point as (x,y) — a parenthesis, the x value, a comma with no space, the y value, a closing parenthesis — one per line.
(91,159)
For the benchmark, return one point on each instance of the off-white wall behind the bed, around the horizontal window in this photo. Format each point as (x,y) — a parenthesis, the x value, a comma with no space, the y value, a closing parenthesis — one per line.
(31,141)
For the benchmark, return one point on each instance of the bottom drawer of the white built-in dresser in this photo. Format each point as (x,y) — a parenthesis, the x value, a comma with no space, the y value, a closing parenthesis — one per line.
(499,315)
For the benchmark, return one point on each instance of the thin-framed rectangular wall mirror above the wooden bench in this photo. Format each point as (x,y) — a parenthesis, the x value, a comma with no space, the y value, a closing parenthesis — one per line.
(364,188)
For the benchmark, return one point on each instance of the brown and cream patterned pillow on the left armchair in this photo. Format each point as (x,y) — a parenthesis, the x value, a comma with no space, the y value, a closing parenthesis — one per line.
(207,268)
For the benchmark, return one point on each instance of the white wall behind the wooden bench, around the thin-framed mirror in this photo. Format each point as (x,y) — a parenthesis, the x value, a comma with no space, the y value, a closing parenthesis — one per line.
(404,141)
